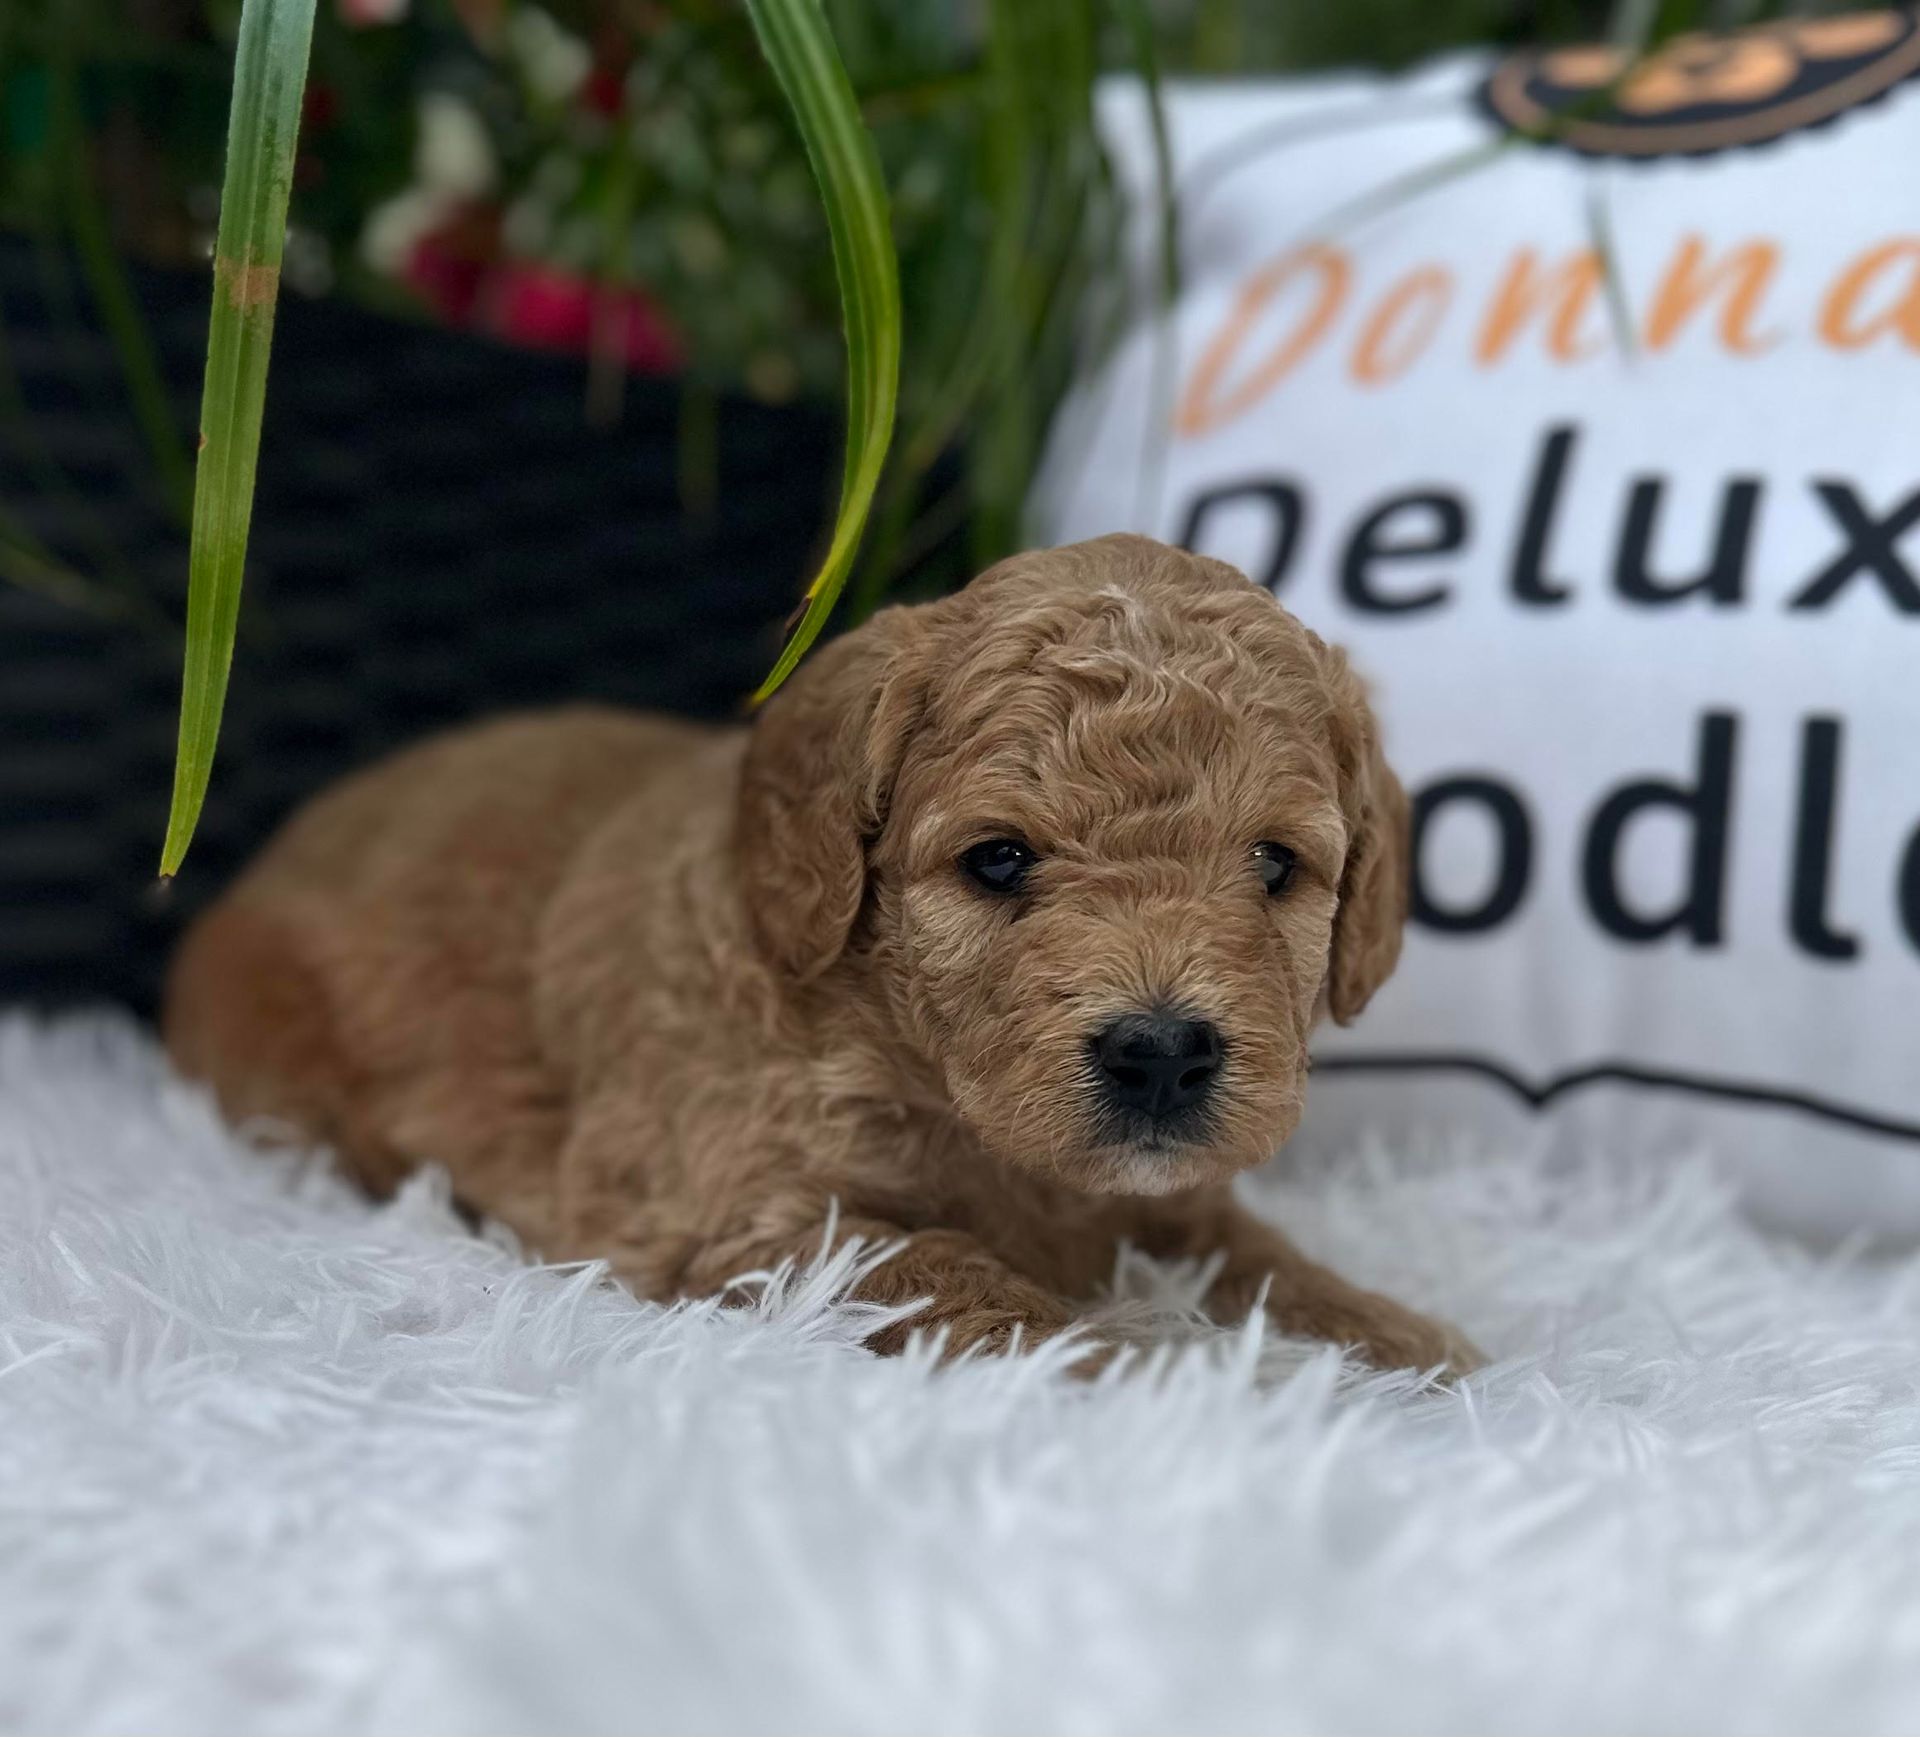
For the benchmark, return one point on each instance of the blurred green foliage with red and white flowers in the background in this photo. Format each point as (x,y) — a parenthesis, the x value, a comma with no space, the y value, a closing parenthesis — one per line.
(644,147)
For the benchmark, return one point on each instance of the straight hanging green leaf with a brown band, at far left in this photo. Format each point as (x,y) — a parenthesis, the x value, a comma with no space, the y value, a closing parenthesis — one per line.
(262,130)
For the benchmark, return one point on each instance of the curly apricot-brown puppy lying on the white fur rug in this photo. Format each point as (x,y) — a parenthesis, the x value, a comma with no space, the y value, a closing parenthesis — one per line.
(999,938)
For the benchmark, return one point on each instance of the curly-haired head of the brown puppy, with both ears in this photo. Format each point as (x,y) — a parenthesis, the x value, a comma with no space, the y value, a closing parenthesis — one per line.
(1099,838)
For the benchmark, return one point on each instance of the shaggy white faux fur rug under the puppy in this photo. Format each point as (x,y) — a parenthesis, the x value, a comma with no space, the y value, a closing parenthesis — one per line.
(274,1460)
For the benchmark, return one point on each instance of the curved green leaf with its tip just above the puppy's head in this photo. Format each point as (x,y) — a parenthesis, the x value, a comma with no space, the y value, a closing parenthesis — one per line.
(800,47)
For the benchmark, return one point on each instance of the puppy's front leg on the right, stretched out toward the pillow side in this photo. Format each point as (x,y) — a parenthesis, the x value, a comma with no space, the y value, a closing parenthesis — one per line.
(1312,1302)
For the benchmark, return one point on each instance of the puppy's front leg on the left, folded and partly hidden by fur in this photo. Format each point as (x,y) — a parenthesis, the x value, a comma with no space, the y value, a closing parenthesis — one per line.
(972,1295)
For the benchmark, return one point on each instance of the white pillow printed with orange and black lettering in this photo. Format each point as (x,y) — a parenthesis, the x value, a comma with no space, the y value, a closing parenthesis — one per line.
(1643,623)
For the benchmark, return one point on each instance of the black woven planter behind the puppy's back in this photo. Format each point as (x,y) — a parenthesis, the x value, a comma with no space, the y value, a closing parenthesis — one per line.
(437,535)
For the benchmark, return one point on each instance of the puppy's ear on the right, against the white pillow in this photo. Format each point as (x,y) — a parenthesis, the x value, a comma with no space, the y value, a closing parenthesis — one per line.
(1374,884)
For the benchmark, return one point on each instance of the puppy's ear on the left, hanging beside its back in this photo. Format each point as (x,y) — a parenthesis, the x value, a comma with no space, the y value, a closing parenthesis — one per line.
(815,790)
